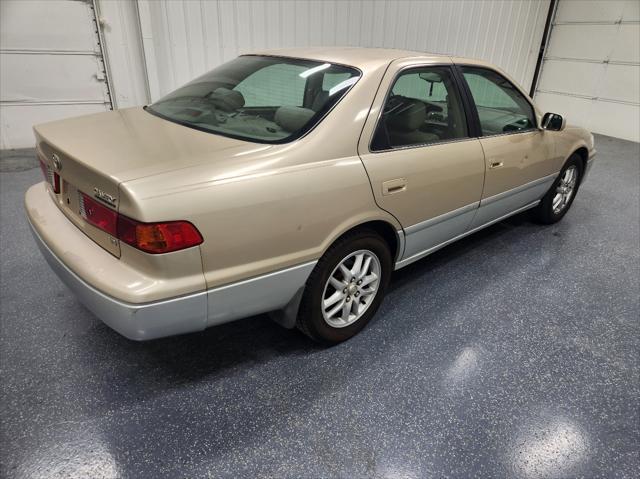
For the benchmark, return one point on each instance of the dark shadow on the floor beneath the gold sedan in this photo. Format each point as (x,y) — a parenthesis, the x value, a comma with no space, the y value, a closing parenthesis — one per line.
(236,345)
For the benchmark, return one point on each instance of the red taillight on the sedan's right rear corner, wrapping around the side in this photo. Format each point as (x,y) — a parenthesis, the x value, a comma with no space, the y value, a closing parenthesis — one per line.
(149,237)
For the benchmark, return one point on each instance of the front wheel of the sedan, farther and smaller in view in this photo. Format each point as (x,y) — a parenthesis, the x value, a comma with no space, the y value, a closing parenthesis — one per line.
(558,200)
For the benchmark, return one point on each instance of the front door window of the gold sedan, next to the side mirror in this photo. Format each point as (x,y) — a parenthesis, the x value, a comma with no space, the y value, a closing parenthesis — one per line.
(501,107)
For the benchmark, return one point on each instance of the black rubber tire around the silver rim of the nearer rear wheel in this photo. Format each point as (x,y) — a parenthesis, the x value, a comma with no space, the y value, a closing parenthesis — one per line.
(310,319)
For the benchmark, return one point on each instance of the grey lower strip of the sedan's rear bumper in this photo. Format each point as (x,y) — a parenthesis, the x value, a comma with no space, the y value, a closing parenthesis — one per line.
(134,321)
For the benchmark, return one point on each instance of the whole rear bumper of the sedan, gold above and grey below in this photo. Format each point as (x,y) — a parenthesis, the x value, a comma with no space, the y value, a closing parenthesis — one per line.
(83,265)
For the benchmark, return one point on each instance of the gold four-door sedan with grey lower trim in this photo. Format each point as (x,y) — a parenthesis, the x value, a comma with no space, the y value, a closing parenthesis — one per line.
(291,182)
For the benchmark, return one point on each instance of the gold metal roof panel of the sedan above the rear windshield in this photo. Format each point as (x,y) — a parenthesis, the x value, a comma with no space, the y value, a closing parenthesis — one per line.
(358,57)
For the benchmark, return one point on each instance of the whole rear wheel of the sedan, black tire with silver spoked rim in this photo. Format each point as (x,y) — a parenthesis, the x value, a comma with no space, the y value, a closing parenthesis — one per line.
(345,288)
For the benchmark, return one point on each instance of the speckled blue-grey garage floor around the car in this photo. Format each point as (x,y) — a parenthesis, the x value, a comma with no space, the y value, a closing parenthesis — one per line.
(514,353)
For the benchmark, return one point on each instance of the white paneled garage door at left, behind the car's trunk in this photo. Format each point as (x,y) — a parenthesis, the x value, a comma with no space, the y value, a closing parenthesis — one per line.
(50,65)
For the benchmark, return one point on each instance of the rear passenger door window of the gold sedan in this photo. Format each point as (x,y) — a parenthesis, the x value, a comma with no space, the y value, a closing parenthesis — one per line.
(423,107)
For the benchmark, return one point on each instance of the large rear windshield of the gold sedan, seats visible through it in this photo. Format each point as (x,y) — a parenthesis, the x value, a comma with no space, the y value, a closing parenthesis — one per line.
(259,98)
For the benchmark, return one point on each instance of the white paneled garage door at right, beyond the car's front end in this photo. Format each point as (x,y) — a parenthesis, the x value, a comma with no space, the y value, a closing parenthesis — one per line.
(591,69)
